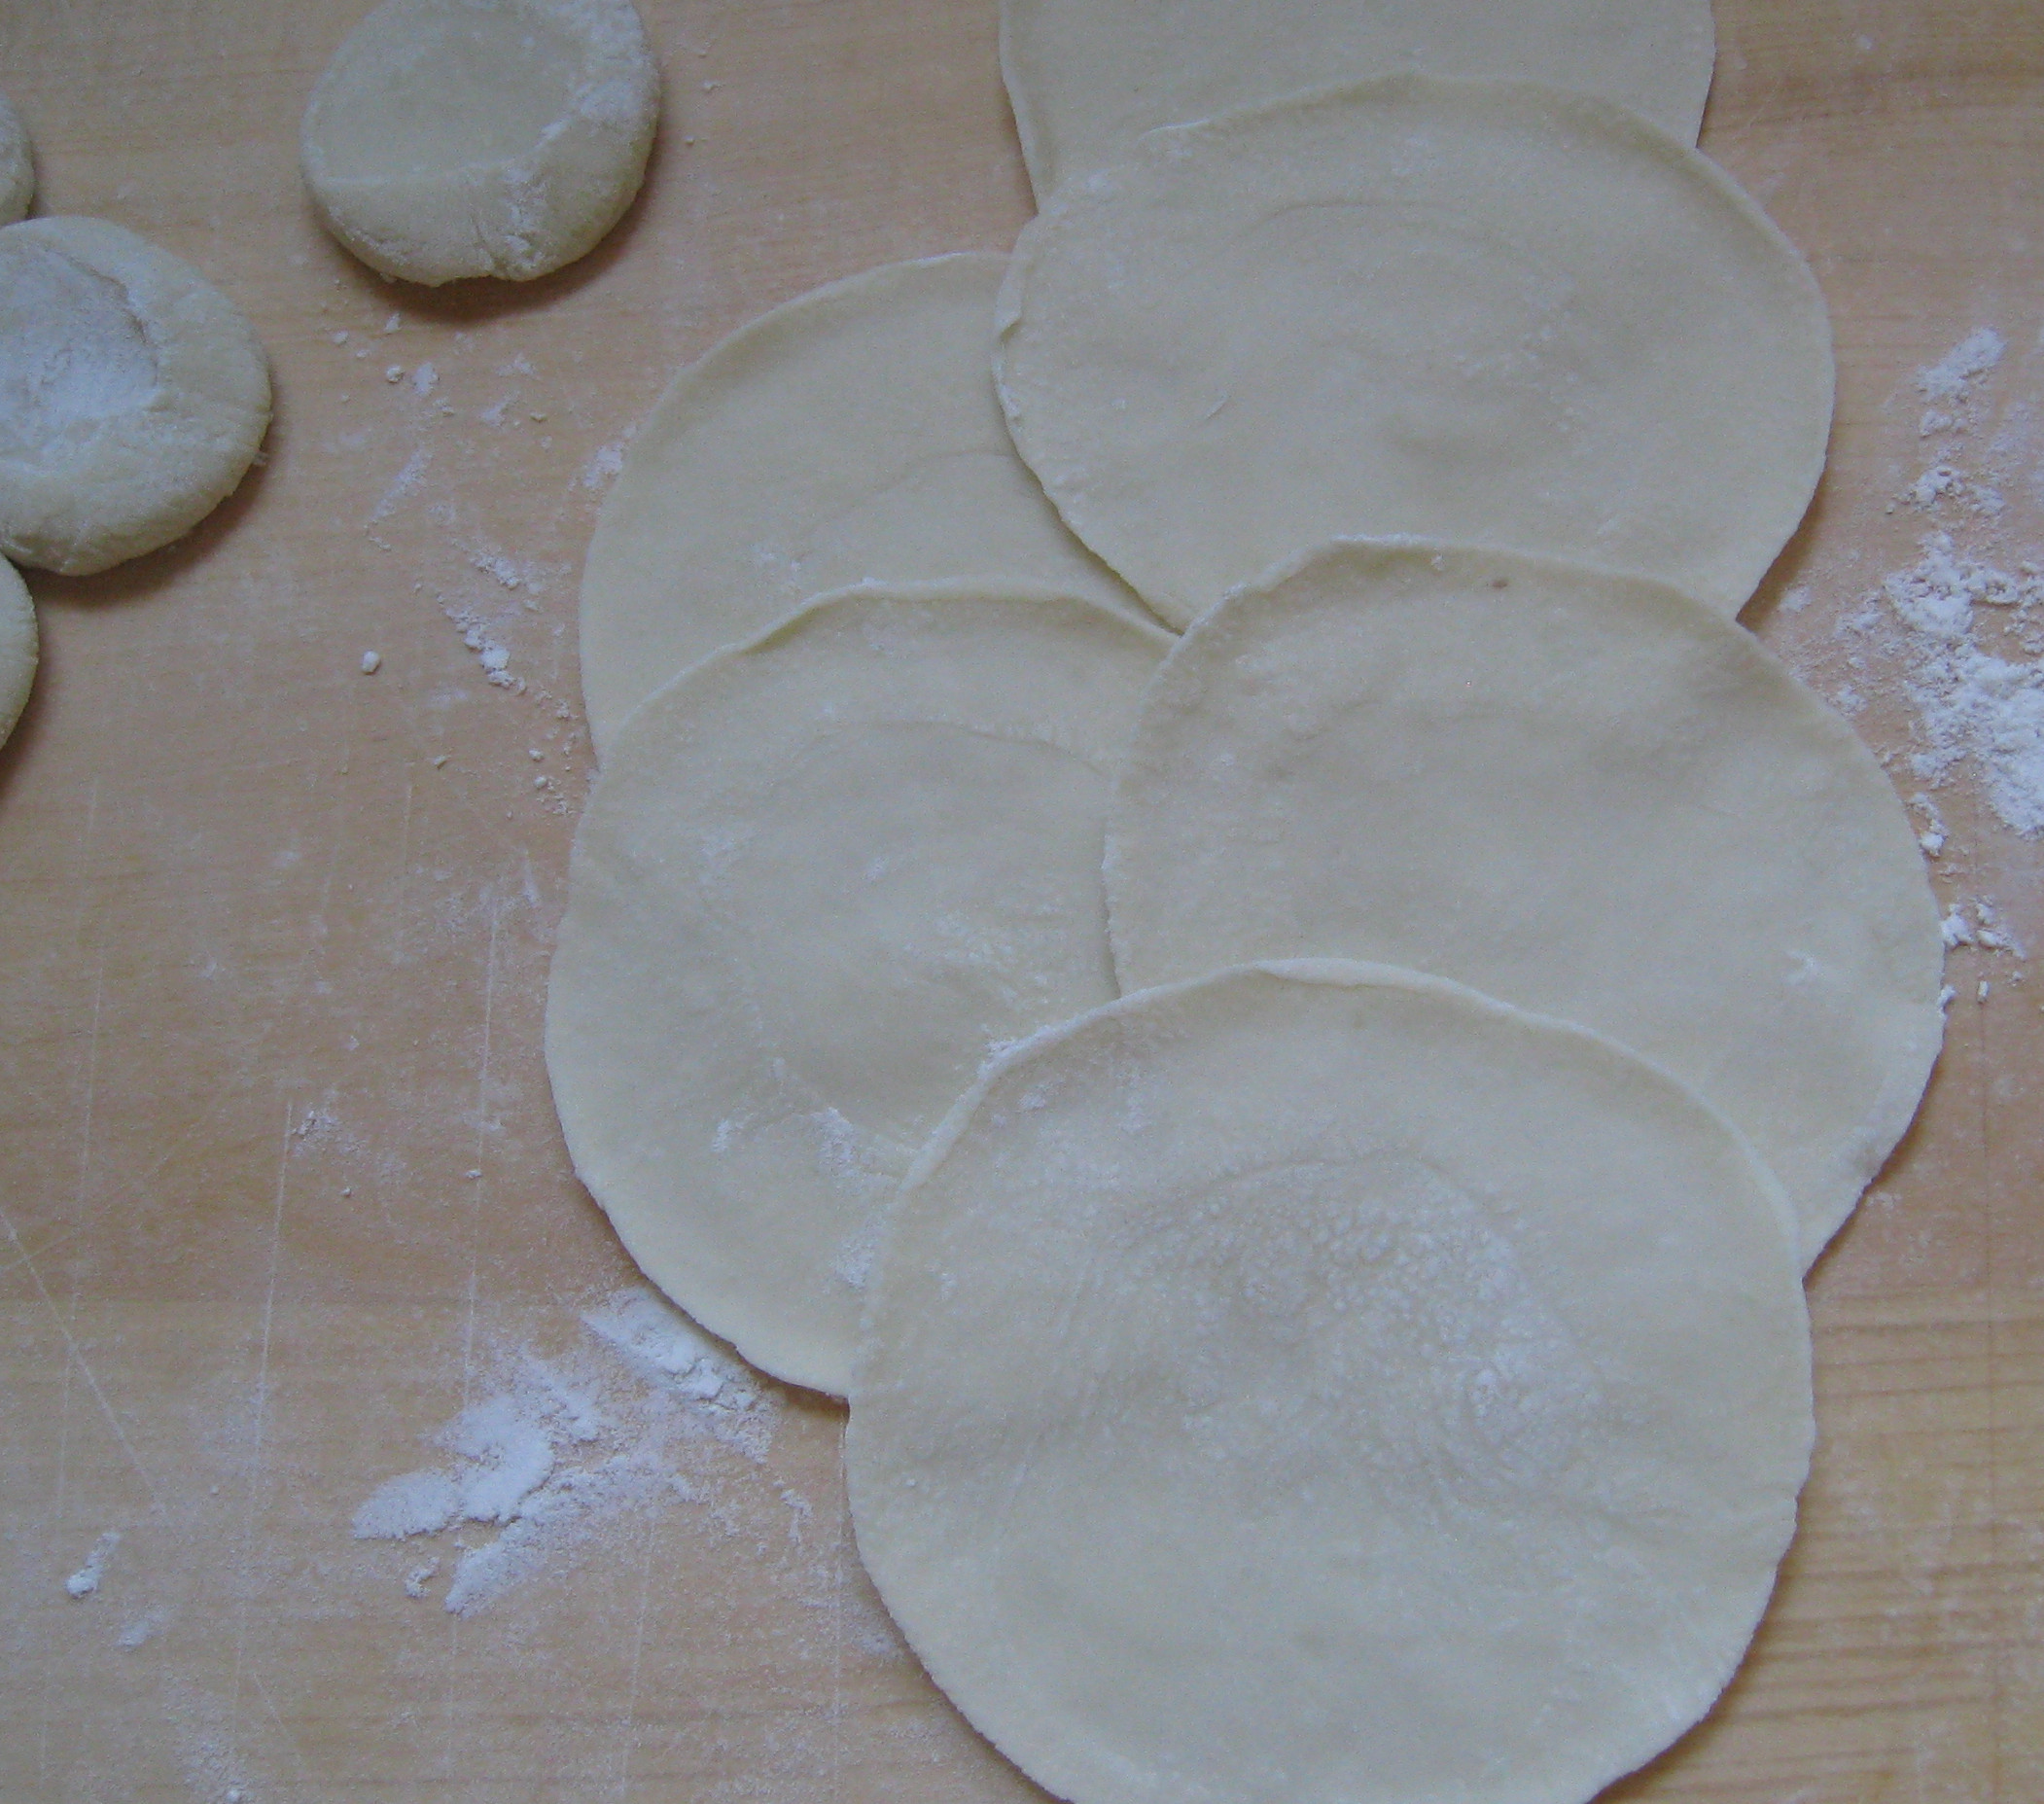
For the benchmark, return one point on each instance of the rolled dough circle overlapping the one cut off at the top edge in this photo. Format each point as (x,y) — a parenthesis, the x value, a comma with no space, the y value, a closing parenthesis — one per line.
(1487,314)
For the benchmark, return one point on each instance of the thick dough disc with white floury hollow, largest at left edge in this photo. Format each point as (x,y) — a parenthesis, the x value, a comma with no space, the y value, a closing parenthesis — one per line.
(134,396)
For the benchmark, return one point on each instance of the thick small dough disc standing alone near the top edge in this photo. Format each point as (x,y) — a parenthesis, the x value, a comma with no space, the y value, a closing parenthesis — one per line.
(481,138)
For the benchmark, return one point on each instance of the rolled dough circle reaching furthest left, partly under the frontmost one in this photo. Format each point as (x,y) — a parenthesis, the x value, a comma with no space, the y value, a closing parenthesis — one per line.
(821,876)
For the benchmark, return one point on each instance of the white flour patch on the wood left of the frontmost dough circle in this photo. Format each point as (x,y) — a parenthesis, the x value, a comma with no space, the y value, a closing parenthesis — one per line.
(569,1445)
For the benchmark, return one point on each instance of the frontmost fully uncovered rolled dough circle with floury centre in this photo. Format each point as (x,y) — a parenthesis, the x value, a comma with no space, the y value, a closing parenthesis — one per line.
(1328,1386)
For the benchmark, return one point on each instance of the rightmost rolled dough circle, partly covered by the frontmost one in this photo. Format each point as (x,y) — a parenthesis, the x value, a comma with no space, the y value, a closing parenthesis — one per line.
(1585,795)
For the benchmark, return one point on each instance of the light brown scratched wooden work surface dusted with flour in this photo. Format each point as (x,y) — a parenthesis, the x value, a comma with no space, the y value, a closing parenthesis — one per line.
(281,1185)
